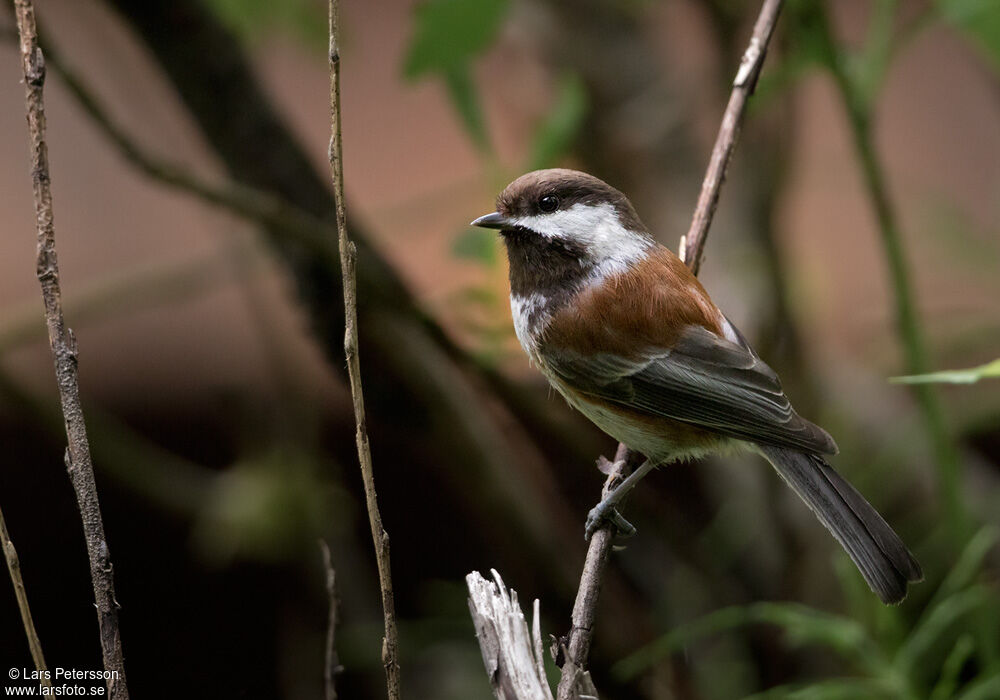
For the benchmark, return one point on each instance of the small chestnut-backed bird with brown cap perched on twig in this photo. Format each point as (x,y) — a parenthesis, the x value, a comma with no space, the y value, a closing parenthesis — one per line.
(628,335)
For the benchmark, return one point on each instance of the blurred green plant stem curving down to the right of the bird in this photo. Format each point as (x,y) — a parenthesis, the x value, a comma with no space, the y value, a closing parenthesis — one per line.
(907,319)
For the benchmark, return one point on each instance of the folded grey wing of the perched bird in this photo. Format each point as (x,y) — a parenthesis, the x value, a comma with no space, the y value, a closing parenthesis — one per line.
(704,380)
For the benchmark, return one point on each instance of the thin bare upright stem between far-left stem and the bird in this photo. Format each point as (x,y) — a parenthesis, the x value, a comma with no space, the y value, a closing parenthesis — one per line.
(348,253)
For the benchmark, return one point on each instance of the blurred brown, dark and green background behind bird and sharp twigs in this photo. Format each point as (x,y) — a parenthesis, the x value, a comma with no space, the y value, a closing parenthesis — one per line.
(214,384)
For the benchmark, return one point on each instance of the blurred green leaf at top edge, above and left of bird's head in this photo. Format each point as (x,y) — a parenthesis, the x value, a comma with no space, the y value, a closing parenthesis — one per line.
(450,33)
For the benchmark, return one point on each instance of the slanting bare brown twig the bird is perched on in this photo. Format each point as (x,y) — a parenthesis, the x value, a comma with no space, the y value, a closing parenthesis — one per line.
(691,247)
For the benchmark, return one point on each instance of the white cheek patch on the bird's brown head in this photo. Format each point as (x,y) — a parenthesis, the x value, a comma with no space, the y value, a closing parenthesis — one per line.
(611,247)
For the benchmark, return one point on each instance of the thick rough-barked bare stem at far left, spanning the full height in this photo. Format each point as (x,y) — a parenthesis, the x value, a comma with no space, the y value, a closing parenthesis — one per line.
(64,353)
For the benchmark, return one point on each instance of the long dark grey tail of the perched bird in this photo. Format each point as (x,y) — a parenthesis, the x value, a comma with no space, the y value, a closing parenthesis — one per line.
(875,549)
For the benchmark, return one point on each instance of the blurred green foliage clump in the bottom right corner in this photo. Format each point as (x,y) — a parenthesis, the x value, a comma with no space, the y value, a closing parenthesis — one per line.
(949,651)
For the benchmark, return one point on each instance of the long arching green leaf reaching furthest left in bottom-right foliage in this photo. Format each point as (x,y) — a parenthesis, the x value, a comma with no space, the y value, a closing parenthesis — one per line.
(802,624)
